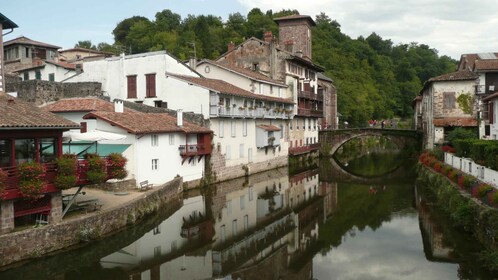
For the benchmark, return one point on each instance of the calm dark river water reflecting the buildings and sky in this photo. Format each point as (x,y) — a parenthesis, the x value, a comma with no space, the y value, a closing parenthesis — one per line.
(362,219)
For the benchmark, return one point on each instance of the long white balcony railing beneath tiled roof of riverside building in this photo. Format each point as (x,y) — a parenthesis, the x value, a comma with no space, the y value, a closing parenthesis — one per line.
(246,112)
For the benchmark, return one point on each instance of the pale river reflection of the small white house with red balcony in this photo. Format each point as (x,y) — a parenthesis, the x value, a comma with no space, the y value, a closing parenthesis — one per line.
(163,252)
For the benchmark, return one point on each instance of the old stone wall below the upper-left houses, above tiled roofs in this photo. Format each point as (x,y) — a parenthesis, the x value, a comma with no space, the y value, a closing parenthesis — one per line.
(40,92)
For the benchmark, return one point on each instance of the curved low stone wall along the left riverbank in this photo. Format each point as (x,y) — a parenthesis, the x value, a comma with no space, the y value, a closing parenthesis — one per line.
(36,242)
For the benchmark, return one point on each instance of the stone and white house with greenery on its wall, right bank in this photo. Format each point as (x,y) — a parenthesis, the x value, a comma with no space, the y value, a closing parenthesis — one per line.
(448,101)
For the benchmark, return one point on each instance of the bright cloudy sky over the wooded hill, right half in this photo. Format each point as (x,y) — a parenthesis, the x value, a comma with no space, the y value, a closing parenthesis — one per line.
(452,27)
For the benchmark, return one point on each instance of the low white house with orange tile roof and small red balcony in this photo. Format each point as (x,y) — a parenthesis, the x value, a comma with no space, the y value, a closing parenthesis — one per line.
(158,146)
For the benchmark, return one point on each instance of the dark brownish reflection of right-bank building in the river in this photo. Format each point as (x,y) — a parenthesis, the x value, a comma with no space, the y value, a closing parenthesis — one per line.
(432,235)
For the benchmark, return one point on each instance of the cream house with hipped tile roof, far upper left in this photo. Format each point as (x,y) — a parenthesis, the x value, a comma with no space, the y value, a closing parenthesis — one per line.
(23,52)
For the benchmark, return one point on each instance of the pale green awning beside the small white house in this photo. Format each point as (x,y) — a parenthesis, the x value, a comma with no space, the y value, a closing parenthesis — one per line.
(82,148)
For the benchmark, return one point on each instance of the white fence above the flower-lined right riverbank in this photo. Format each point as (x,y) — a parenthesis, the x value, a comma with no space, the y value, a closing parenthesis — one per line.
(468,166)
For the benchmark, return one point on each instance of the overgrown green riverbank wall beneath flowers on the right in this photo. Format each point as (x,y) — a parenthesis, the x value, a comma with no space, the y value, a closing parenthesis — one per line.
(466,212)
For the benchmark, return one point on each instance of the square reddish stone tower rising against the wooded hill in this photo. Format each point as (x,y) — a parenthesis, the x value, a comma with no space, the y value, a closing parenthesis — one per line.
(295,34)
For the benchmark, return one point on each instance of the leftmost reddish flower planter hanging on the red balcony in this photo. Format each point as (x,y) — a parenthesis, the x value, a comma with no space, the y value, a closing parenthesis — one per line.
(31,179)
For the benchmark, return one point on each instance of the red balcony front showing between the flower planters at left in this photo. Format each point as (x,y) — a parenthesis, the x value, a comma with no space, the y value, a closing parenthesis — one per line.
(12,183)
